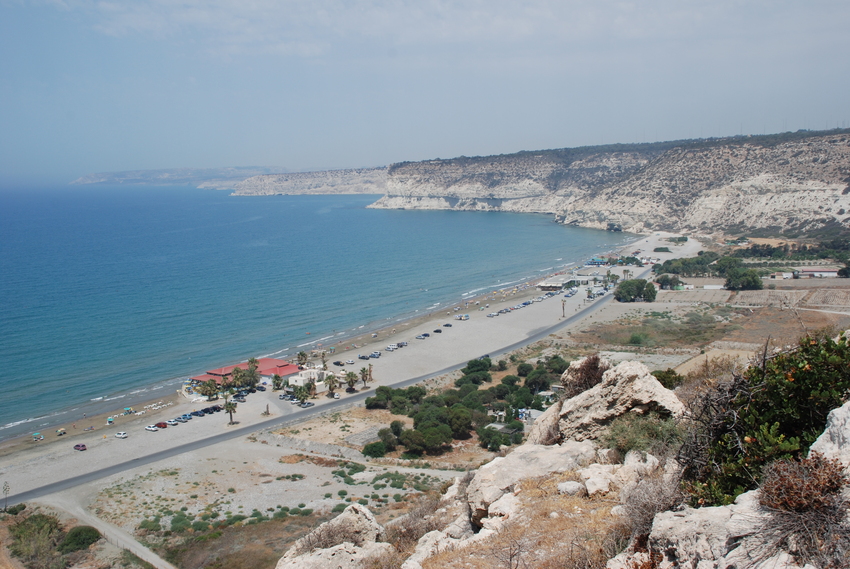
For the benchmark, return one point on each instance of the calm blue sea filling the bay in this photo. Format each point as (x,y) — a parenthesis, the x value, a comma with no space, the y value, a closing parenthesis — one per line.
(111,295)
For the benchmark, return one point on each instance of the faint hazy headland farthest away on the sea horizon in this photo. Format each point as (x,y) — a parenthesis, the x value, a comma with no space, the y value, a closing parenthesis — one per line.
(212,178)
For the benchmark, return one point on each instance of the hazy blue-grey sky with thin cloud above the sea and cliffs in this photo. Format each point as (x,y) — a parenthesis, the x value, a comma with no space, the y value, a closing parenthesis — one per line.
(109,85)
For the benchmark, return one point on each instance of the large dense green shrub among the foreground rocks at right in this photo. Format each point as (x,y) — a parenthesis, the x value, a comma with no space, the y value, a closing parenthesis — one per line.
(774,411)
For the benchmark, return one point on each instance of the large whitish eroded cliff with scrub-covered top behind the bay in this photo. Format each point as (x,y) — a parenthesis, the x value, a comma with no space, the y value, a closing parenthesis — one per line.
(737,185)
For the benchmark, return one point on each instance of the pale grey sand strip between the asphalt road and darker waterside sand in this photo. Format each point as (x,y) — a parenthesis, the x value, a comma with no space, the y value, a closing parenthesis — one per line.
(27,465)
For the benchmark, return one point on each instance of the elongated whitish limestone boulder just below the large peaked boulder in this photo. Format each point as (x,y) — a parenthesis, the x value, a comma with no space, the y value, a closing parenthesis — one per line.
(501,475)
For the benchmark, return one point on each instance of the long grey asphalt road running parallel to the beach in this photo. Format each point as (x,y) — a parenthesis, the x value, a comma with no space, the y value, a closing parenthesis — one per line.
(297,416)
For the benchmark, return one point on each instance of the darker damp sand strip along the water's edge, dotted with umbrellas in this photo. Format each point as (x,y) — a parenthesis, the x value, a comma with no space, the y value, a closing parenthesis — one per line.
(372,333)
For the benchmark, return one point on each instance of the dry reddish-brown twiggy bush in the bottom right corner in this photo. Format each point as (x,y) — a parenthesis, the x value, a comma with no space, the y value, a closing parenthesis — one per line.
(808,513)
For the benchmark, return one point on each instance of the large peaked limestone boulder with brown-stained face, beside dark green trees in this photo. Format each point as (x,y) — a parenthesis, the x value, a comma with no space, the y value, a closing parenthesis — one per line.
(626,388)
